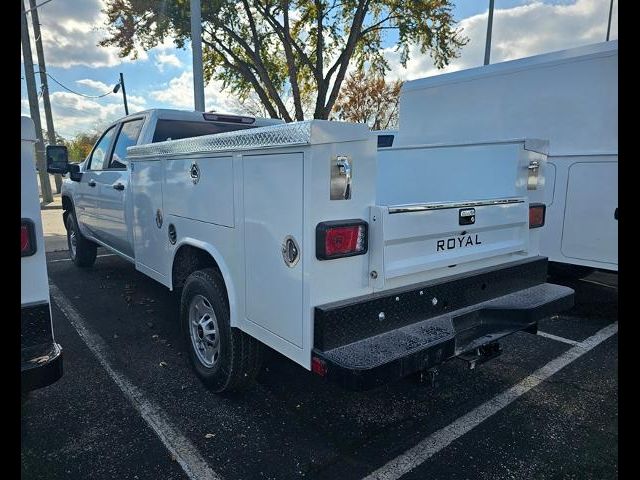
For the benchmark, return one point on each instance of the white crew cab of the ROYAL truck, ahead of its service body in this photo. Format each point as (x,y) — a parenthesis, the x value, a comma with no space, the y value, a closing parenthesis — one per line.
(96,198)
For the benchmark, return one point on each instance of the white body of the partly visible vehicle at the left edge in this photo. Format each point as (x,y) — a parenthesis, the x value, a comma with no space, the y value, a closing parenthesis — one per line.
(34,283)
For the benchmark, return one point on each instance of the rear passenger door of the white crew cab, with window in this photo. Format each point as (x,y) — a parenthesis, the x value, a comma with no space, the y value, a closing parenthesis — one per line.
(113,185)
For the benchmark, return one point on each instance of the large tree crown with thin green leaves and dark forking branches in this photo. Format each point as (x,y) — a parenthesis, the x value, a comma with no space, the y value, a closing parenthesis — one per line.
(292,54)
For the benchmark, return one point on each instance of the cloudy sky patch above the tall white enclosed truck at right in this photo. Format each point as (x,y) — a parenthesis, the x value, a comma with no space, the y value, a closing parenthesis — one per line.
(518,32)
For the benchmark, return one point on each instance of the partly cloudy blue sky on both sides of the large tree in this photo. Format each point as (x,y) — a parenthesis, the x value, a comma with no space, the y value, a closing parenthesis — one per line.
(162,77)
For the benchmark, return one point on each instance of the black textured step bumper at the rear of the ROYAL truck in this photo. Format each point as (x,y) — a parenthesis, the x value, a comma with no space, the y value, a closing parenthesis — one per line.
(388,356)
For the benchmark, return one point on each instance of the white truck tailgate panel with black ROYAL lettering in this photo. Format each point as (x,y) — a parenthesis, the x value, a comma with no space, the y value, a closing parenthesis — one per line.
(409,239)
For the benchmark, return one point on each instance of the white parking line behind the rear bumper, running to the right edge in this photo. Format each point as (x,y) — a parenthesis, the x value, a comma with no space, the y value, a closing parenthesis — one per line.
(445,436)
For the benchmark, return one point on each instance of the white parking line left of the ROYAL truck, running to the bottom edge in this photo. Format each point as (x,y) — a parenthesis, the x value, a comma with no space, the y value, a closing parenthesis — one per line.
(181,448)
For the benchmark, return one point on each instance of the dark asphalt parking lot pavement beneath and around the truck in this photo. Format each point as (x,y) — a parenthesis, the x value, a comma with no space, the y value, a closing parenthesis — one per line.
(128,405)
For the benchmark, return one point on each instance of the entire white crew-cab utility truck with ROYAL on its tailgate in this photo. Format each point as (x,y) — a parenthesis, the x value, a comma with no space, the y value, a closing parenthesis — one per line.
(298,237)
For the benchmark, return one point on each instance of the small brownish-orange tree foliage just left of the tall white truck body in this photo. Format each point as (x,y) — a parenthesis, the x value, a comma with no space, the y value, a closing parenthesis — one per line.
(368,98)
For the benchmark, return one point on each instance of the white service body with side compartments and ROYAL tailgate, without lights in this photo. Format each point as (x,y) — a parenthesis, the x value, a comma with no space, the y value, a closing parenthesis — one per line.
(277,185)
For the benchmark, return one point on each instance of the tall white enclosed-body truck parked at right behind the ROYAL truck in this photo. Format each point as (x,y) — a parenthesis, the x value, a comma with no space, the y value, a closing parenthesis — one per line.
(568,97)
